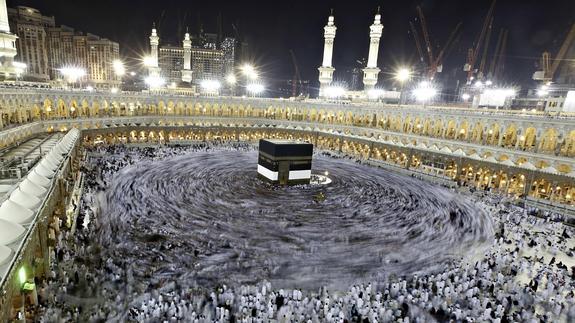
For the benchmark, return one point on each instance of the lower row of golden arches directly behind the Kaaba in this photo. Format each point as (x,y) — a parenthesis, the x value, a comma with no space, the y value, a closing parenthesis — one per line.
(513,181)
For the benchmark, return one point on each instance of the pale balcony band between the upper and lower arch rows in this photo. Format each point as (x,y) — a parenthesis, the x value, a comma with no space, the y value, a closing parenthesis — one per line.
(456,149)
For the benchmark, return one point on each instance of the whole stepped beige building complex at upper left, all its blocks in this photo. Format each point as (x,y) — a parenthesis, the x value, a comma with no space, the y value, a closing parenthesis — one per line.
(46,48)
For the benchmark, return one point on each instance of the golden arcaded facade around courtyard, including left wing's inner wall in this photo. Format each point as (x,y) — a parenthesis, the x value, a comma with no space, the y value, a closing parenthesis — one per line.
(527,157)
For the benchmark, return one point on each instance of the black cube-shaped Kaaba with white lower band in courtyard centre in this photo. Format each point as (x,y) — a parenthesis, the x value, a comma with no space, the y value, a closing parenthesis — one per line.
(284,162)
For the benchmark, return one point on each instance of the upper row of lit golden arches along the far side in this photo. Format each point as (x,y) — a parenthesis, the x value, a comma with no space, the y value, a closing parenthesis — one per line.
(546,138)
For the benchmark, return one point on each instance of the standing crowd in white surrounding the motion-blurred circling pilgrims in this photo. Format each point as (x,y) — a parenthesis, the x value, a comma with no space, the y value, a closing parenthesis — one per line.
(526,275)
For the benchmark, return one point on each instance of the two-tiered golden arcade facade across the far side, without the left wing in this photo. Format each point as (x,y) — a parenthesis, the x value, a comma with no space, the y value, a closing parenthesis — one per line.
(458,143)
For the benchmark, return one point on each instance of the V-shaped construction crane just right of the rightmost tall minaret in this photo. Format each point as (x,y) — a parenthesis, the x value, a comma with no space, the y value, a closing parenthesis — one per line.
(435,63)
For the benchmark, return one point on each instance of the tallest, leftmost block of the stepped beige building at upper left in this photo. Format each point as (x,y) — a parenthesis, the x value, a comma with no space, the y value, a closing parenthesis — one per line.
(32,43)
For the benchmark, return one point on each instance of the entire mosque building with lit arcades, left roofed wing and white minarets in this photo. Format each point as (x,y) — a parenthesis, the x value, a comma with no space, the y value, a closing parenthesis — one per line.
(527,157)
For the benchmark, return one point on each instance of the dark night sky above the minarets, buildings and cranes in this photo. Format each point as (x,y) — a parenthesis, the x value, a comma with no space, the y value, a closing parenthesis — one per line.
(272,27)
